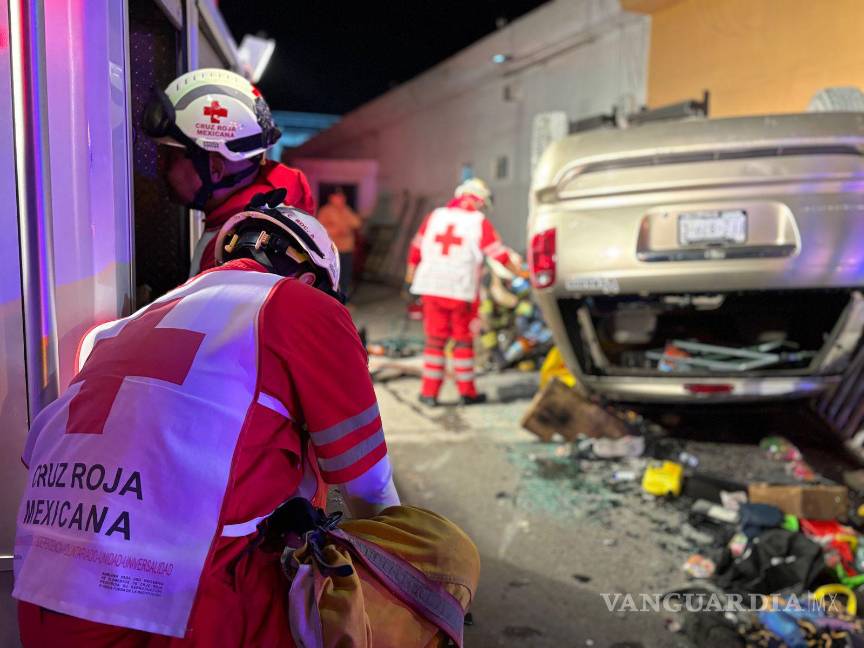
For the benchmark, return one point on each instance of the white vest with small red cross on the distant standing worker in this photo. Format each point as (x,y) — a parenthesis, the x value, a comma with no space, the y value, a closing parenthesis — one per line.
(450,255)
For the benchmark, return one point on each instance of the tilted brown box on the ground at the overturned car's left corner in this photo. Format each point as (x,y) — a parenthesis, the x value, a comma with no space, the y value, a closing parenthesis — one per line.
(560,409)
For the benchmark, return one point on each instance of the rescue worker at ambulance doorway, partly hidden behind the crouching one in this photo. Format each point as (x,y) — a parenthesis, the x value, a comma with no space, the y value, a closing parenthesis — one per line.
(217,128)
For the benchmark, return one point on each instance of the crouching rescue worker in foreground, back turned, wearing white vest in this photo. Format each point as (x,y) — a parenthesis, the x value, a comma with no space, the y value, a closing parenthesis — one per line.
(190,422)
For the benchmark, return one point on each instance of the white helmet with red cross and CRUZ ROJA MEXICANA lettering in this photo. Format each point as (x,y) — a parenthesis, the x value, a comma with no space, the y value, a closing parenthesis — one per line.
(216,110)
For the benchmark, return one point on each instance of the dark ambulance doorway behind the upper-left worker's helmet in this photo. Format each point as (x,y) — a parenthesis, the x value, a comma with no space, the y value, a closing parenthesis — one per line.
(161,229)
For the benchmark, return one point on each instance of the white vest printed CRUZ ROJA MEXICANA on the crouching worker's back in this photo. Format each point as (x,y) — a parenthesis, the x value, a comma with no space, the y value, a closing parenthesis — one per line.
(117,522)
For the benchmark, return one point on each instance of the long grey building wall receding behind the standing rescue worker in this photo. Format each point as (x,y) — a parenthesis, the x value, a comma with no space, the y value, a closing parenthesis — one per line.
(579,56)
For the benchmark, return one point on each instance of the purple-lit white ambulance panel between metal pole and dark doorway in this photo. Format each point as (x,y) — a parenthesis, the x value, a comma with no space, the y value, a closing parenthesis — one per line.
(89,151)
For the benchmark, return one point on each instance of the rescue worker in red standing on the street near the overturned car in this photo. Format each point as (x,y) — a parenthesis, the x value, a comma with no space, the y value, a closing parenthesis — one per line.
(444,264)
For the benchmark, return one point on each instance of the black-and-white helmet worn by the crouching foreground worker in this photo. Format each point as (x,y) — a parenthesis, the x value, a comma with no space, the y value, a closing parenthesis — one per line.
(270,232)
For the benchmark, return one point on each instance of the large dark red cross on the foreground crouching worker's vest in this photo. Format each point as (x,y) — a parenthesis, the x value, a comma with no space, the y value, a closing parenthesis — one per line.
(140,349)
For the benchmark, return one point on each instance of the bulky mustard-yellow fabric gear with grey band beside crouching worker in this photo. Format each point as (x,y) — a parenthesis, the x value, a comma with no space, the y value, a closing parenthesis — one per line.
(358,610)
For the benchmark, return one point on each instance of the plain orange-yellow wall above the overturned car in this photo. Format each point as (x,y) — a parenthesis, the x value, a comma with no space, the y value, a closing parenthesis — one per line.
(755,57)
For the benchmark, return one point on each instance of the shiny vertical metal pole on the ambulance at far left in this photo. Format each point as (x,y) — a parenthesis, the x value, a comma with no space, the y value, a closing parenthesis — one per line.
(32,161)
